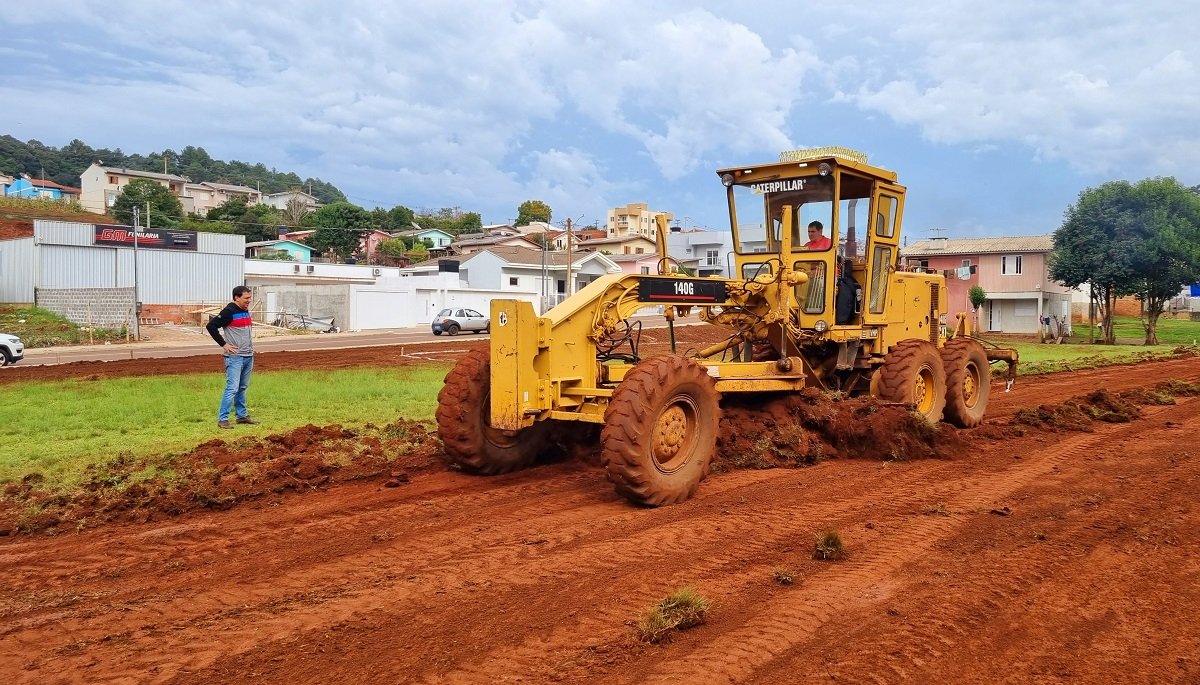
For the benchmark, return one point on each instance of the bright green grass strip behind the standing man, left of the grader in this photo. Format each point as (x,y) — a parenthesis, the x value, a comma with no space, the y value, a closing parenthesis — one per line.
(59,429)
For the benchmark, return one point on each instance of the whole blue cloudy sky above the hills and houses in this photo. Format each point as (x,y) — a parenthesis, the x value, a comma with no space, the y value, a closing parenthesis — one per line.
(995,115)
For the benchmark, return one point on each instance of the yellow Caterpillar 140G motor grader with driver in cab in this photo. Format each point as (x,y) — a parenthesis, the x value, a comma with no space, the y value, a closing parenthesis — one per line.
(838,314)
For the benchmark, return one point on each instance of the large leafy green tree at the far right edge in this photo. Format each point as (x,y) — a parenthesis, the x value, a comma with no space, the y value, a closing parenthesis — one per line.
(1124,239)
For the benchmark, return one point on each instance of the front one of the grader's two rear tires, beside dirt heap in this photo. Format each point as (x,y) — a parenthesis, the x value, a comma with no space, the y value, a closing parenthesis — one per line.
(913,374)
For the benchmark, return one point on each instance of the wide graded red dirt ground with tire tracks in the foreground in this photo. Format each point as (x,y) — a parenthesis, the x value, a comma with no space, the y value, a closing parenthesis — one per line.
(1043,548)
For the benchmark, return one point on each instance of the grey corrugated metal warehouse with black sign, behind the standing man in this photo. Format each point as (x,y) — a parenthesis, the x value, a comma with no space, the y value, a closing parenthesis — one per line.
(87,272)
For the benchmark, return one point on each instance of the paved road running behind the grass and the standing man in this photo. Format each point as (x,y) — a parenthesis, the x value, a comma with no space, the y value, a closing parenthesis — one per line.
(205,346)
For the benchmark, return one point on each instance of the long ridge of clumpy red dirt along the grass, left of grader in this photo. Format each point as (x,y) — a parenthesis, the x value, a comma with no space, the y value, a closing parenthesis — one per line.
(220,474)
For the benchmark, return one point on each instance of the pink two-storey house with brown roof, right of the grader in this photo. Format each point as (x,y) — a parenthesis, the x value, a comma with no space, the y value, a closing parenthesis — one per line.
(1015,272)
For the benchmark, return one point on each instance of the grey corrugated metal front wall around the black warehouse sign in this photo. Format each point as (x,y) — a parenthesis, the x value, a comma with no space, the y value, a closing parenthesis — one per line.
(67,259)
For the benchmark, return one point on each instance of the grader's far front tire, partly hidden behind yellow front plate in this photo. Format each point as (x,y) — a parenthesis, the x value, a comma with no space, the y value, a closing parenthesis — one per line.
(463,416)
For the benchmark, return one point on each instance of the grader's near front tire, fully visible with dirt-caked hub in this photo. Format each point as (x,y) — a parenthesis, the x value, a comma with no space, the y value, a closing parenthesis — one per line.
(661,431)
